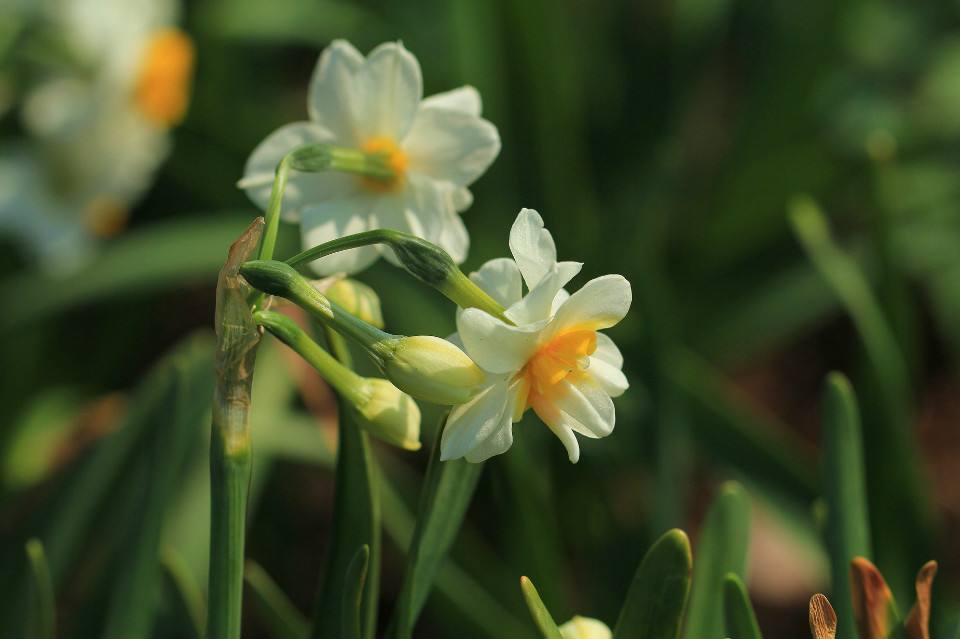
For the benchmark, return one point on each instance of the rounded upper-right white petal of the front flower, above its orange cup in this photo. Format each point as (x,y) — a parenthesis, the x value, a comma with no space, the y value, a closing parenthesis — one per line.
(601,303)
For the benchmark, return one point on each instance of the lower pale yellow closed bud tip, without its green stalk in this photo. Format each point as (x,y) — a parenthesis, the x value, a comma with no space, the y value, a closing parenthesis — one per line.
(390,414)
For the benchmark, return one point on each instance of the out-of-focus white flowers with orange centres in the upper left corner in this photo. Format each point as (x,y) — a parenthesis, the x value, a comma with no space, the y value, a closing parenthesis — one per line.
(98,119)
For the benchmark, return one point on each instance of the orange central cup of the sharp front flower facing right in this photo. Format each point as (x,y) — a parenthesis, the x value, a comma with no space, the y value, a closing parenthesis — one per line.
(566,355)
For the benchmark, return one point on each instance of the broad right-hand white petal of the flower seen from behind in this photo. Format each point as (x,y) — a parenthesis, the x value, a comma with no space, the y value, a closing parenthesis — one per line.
(451,145)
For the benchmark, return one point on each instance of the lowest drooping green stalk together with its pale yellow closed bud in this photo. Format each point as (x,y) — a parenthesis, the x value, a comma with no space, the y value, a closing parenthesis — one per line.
(383,410)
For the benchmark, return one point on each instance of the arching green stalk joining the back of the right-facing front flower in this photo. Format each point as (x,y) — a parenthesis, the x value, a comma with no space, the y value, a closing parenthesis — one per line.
(425,261)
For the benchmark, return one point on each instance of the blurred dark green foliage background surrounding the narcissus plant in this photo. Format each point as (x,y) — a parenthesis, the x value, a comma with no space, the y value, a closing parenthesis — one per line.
(662,140)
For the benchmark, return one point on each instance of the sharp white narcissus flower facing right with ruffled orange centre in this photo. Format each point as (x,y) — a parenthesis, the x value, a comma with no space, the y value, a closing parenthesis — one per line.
(551,359)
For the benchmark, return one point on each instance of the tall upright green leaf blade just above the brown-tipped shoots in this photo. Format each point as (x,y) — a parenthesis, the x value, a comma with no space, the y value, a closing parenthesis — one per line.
(848,529)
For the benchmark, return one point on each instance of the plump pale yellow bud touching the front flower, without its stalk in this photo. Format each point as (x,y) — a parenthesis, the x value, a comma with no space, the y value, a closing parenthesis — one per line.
(431,369)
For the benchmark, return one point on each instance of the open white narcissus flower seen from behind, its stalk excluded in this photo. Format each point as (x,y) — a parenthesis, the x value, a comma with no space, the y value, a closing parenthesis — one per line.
(437,146)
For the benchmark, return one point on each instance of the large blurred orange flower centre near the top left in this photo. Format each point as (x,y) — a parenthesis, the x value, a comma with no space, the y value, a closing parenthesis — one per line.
(163,86)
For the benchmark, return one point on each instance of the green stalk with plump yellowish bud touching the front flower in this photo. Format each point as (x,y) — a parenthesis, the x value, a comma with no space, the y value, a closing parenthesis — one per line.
(428,368)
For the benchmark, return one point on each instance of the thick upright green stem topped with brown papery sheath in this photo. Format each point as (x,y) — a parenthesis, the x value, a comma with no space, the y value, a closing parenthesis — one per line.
(230,462)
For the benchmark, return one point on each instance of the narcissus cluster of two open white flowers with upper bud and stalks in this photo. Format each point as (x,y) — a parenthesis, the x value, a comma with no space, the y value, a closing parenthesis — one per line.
(379,171)
